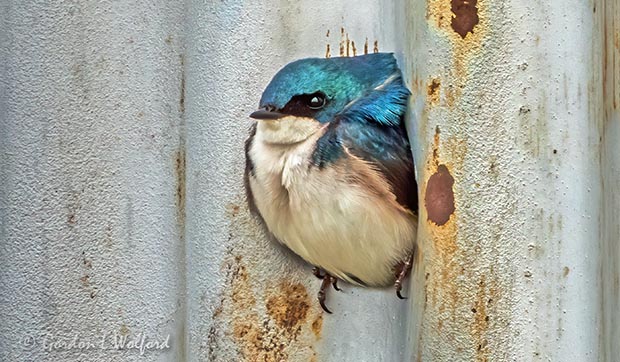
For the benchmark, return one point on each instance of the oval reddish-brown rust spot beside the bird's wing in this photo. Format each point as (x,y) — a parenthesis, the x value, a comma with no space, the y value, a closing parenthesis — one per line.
(439,198)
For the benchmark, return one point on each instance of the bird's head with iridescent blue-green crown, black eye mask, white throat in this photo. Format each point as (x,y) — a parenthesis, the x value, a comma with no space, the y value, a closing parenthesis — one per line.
(308,93)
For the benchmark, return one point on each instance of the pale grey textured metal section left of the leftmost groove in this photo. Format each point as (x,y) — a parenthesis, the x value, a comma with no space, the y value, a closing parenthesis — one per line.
(89,136)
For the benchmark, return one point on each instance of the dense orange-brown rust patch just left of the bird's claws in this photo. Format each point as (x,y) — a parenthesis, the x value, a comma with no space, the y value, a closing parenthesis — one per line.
(289,308)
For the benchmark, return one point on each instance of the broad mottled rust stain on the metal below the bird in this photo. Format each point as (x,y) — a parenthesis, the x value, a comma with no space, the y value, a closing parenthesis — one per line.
(288,326)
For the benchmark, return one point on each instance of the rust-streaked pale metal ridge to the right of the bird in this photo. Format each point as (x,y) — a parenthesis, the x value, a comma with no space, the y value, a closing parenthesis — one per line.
(509,102)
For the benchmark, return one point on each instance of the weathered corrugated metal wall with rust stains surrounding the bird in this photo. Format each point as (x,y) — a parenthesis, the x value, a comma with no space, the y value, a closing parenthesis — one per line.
(122,210)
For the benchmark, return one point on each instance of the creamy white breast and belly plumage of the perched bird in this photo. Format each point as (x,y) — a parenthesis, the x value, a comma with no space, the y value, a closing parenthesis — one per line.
(340,226)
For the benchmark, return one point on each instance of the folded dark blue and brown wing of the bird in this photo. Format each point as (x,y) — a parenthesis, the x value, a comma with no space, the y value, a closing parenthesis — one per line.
(384,146)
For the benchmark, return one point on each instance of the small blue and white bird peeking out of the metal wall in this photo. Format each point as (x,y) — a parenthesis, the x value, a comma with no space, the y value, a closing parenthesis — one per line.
(329,169)
